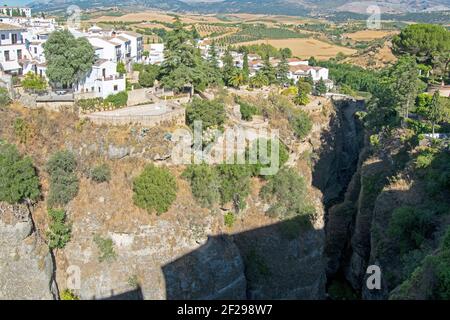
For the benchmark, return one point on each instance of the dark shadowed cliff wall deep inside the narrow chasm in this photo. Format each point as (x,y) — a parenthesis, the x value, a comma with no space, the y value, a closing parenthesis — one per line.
(338,158)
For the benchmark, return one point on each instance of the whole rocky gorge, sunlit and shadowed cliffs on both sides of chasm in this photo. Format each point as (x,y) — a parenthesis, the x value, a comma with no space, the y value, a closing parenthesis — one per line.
(188,252)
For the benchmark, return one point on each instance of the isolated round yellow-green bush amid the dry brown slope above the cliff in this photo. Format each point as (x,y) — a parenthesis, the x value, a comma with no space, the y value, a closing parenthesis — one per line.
(155,189)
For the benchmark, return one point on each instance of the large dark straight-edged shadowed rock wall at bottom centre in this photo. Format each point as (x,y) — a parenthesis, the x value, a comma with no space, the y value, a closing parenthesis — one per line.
(265,263)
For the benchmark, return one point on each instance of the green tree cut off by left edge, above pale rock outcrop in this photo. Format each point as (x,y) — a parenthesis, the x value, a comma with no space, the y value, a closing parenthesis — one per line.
(19,181)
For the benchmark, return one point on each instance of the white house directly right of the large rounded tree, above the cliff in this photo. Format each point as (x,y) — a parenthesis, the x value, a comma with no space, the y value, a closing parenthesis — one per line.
(103,80)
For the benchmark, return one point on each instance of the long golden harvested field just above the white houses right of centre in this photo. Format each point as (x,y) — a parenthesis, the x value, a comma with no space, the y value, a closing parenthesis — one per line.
(305,48)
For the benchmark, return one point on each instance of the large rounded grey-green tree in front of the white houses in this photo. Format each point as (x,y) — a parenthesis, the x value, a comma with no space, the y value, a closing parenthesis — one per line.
(69,59)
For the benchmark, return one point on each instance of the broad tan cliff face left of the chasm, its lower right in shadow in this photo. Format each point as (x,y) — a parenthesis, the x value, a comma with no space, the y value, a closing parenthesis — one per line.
(187,252)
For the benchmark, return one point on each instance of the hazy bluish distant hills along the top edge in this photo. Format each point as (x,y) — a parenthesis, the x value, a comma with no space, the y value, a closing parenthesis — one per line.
(286,7)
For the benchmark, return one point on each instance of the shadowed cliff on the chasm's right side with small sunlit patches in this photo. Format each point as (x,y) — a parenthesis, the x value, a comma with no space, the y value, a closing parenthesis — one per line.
(357,229)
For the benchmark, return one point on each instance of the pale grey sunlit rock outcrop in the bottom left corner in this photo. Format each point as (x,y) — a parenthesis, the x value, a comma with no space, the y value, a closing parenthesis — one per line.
(26,265)
